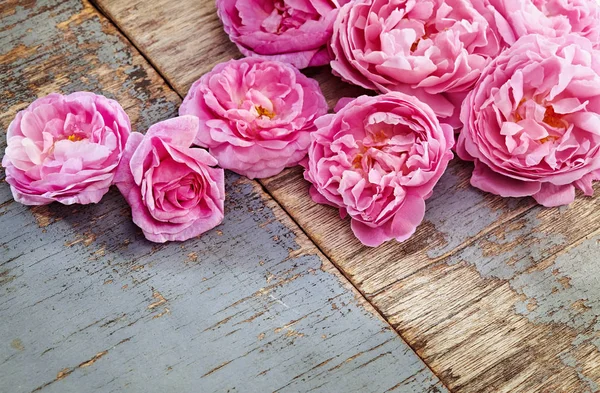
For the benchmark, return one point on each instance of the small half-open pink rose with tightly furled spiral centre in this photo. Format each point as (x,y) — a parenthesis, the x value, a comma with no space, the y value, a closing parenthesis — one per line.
(173,191)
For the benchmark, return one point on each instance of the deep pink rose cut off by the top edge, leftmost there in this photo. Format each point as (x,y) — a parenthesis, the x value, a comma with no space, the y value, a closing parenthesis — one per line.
(292,31)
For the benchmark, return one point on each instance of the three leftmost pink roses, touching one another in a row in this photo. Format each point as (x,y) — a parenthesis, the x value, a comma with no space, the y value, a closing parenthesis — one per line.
(255,117)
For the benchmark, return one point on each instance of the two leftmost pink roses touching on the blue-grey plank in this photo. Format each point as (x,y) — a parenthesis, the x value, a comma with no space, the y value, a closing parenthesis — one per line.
(71,149)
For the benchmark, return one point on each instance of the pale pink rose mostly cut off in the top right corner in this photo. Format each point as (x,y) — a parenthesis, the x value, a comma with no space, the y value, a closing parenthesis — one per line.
(552,18)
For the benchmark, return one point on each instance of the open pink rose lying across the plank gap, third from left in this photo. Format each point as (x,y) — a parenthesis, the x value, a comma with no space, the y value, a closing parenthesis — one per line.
(255,115)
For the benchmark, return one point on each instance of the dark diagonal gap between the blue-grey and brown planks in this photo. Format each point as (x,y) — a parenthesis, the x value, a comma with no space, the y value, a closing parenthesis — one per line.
(99,8)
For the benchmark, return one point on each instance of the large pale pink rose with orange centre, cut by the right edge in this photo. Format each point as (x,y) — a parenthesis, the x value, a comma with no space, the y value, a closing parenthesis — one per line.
(532,123)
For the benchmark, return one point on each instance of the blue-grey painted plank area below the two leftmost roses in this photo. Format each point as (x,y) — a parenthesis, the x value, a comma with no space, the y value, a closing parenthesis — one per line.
(89,304)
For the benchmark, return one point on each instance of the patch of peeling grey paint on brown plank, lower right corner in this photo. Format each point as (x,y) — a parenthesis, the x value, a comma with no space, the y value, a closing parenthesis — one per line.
(555,275)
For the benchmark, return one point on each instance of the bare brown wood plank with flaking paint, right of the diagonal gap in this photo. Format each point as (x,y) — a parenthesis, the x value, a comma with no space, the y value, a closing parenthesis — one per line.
(496,295)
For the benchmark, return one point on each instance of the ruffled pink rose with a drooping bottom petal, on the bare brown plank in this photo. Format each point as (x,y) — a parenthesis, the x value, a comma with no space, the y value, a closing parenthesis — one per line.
(377,160)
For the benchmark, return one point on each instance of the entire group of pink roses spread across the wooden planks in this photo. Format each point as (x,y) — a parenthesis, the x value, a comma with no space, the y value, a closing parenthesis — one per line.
(519,79)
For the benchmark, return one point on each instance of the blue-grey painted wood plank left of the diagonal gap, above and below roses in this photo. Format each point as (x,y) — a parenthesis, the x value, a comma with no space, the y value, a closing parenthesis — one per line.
(87,305)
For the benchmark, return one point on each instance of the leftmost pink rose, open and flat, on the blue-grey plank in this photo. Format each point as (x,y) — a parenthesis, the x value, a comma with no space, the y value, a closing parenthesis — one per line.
(65,149)
